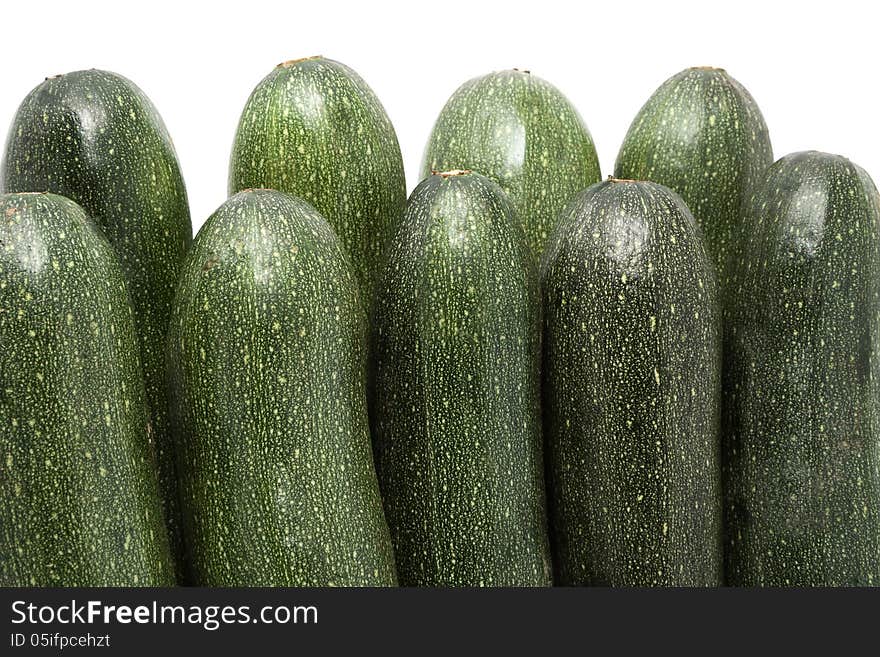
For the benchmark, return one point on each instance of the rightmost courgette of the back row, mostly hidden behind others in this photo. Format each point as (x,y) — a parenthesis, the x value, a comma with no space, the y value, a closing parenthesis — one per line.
(701,134)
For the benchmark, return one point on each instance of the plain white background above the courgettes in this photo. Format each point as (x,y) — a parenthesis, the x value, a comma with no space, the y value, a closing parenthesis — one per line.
(812,69)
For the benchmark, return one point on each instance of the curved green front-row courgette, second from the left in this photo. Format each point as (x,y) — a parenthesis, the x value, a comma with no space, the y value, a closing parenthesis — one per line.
(267,364)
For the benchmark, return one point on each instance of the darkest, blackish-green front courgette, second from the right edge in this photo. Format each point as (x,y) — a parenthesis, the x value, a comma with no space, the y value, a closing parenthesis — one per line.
(632,382)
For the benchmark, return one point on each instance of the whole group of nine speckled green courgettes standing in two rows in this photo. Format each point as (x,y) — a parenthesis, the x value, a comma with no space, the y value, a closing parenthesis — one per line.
(334,386)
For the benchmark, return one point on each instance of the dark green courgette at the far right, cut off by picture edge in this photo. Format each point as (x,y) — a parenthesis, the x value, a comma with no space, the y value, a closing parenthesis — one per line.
(802,445)
